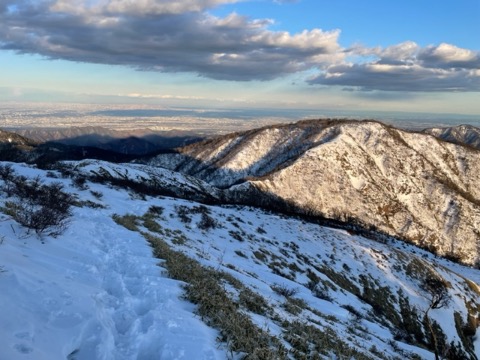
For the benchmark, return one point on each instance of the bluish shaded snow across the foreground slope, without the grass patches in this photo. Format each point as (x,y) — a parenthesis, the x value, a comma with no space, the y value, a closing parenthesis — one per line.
(96,292)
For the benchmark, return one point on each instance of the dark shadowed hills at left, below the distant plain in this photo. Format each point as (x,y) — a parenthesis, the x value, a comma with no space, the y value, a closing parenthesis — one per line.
(47,145)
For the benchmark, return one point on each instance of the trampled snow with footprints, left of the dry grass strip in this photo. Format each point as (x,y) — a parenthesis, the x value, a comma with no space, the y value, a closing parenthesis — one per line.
(95,292)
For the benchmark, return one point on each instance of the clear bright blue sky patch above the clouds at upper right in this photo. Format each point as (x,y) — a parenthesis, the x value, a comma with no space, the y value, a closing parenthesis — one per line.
(375,22)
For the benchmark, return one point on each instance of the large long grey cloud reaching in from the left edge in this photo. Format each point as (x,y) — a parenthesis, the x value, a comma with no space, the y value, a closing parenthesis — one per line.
(167,36)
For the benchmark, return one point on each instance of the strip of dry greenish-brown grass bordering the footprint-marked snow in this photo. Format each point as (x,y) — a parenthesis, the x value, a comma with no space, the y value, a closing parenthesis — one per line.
(214,305)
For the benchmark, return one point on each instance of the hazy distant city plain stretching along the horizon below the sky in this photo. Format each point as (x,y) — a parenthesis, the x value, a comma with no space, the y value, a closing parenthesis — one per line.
(202,121)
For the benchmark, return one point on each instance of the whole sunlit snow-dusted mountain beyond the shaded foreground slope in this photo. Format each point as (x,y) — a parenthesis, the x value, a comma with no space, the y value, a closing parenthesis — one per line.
(407,184)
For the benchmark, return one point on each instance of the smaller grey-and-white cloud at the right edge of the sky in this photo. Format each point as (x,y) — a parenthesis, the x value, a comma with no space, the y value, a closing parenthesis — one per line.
(406,67)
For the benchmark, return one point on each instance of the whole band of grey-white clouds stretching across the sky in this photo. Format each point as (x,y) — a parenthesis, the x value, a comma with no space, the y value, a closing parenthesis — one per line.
(182,36)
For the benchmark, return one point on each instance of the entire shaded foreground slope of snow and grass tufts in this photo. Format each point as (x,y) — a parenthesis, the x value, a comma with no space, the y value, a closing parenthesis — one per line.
(230,282)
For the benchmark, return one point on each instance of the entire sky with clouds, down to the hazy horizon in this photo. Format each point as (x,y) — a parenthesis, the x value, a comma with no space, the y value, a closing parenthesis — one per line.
(410,55)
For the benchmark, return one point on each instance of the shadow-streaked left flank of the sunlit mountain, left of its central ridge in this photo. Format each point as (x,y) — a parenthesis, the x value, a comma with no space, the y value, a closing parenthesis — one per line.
(233,158)
